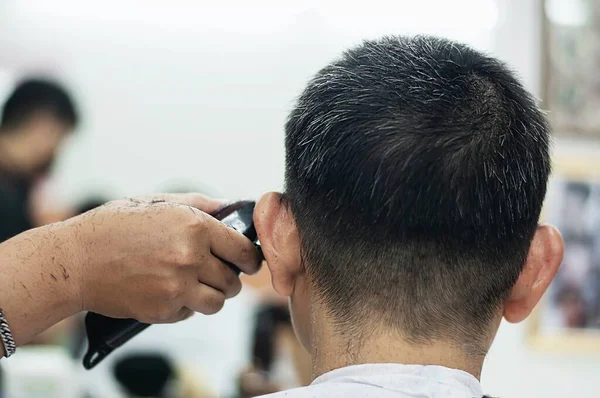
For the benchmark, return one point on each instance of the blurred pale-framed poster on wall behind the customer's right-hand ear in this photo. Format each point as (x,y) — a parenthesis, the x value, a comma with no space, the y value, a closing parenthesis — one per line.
(569,314)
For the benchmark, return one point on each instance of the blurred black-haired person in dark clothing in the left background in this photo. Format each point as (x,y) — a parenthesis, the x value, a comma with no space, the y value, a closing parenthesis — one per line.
(36,118)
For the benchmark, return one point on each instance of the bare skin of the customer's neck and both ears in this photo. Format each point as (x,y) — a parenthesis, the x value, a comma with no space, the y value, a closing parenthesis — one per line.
(330,346)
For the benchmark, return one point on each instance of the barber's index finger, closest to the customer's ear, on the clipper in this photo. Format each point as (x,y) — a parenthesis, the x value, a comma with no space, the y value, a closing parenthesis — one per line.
(229,245)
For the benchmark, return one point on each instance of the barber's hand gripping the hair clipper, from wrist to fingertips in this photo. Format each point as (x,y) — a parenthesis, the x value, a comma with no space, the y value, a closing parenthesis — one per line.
(158,259)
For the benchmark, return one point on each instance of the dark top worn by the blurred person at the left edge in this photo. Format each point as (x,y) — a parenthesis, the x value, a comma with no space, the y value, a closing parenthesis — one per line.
(14,214)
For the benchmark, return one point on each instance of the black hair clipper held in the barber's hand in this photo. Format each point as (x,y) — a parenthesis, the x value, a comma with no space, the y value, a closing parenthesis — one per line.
(106,334)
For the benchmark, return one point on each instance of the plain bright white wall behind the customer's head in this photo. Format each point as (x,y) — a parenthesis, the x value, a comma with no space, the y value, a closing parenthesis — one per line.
(198,94)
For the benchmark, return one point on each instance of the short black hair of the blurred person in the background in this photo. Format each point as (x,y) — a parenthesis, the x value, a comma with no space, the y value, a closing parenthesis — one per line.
(34,95)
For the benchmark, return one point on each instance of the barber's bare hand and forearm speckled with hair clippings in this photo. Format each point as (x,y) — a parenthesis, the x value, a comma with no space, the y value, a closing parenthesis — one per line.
(156,259)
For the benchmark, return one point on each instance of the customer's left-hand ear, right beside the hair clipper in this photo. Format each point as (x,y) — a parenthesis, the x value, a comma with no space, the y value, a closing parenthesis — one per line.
(279,241)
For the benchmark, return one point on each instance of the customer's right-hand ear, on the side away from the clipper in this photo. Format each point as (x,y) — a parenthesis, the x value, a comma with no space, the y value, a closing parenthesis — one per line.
(544,258)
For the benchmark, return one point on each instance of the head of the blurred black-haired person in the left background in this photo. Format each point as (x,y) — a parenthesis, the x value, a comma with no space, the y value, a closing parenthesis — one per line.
(35,119)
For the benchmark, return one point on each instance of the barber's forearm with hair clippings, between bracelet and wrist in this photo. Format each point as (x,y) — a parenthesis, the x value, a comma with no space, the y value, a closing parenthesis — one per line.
(39,282)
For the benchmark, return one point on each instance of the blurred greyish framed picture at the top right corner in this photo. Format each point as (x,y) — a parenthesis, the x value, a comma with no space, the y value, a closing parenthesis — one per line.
(571,61)
